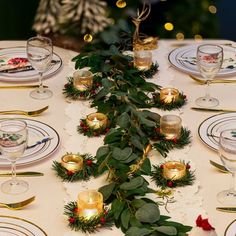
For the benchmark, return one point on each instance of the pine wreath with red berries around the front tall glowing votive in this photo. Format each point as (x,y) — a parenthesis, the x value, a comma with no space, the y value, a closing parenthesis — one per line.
(77,223)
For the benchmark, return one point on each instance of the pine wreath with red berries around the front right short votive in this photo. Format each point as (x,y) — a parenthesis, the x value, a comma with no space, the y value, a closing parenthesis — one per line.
(161,181)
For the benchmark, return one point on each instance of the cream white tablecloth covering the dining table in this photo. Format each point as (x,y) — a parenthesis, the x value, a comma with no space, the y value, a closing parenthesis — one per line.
(50,192)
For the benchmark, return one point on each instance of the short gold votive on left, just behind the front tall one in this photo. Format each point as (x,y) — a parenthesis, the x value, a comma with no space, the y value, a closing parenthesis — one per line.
(72,162)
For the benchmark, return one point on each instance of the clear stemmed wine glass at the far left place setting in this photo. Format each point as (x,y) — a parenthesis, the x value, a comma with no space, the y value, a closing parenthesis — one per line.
(39,52)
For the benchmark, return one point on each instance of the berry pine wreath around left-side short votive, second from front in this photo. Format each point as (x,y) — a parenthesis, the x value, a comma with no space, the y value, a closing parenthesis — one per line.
(89,169)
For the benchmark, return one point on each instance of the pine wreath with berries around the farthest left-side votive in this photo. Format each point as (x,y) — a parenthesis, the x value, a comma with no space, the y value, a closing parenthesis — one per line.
(70,91)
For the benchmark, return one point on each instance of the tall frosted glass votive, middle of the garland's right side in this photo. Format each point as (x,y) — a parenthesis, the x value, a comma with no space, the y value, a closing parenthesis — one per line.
(170,126)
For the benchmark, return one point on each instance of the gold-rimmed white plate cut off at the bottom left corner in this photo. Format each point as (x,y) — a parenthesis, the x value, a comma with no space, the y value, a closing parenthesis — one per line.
(13,226)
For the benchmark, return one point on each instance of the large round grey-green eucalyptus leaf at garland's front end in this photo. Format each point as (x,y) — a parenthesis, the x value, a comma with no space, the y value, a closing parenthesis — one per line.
(148,213)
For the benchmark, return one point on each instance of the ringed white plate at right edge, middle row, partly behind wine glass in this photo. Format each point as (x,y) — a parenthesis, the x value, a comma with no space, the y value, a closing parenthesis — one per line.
(210,129)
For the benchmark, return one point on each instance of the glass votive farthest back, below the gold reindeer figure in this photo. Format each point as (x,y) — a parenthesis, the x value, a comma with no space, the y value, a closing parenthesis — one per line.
(142,59)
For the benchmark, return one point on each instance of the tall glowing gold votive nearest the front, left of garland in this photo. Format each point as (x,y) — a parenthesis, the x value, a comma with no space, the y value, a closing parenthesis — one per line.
(90,203)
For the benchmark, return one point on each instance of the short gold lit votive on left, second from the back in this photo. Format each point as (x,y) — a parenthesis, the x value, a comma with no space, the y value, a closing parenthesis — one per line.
(97,120)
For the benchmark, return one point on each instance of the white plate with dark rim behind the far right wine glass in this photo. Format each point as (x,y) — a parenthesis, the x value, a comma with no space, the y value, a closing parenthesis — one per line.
(184,59)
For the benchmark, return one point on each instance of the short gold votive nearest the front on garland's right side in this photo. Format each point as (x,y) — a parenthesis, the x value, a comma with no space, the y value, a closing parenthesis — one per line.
(174,170)
